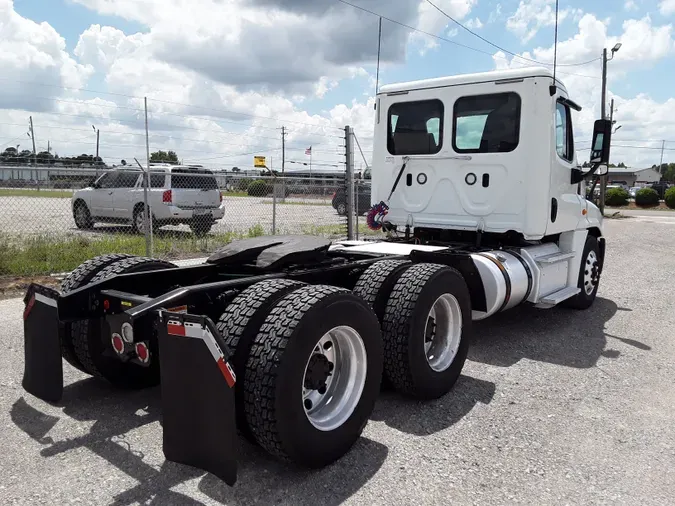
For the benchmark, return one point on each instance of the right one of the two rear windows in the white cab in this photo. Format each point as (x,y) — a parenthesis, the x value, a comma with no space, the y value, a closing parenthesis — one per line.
(486,123)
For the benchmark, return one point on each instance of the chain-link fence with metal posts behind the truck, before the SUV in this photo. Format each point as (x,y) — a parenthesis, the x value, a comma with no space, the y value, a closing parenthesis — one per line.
(54,218)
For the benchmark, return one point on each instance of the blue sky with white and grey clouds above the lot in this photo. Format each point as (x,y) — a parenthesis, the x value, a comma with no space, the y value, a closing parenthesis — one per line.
(134,51)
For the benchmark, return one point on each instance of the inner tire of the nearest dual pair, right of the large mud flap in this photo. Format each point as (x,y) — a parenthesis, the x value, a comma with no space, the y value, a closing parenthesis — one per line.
(239,325)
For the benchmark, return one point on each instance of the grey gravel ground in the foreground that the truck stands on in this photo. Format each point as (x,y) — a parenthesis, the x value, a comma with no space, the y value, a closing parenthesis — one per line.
(553,407)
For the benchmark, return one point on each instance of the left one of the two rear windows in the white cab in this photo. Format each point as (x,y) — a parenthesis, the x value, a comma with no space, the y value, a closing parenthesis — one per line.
(415,128)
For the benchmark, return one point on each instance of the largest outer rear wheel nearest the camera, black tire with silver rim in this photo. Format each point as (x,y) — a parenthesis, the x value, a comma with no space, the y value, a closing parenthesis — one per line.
(280,375)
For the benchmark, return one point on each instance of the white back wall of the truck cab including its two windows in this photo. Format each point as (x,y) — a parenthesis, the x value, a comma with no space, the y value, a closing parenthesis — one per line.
(467,163)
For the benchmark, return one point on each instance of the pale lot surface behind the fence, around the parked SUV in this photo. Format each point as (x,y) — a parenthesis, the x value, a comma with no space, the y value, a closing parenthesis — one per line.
(36,215)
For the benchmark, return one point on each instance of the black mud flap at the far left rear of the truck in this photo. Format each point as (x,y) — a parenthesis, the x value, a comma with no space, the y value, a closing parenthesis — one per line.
(42,334)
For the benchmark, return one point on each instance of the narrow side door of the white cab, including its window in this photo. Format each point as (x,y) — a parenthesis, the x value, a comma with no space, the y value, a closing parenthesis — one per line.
(565,203)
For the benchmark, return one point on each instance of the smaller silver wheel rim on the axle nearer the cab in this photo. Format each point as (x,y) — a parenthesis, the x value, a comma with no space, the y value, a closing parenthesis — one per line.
(443,332)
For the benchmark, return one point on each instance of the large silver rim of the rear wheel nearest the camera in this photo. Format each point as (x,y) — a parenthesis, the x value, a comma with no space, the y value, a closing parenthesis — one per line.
(334,377)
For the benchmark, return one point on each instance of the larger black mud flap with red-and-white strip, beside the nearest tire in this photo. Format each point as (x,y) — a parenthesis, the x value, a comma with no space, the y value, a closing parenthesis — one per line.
(197,385)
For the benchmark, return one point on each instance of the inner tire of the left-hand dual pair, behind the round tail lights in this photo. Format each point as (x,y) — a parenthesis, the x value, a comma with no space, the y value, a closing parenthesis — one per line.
(95,352)
